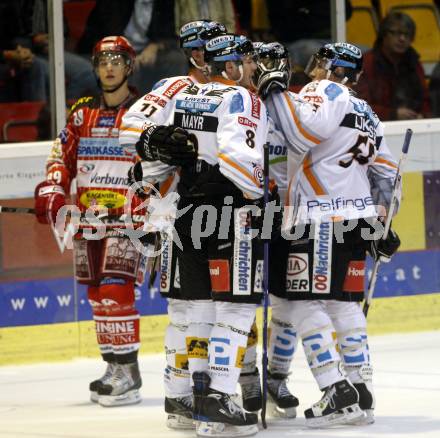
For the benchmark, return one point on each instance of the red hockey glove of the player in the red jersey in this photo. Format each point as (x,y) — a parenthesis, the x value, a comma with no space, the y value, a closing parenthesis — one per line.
(49,198)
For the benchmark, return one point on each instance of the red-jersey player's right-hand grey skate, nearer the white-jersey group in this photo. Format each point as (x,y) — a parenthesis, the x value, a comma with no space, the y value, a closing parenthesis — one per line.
(123,388)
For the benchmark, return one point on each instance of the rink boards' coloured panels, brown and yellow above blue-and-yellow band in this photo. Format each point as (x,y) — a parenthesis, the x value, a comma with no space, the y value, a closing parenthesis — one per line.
(42,318)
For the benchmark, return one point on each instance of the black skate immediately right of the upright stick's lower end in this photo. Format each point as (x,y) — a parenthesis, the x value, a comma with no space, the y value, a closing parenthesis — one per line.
(282,403)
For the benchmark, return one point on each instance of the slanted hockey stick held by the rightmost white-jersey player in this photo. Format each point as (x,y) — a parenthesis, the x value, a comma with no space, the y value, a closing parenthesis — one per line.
(397,181)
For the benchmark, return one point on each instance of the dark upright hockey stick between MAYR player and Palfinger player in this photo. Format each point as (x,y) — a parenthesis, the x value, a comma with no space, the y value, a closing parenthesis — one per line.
(265,291)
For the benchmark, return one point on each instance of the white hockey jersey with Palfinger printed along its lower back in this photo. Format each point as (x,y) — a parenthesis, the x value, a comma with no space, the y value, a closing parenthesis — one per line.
(333,138)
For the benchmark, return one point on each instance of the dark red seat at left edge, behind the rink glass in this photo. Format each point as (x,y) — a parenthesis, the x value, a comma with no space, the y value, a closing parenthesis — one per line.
(18,121)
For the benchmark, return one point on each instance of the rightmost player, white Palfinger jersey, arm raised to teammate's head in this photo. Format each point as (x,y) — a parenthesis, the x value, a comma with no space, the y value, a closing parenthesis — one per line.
(344,169)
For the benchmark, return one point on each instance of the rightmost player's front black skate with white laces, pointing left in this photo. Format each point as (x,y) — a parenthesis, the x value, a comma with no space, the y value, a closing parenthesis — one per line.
(339,405)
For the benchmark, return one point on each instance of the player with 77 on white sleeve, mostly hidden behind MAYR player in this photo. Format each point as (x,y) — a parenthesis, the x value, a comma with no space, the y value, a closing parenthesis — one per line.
(155,107)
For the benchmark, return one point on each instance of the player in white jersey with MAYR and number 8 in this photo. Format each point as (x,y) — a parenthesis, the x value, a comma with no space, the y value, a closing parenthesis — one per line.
(221,130)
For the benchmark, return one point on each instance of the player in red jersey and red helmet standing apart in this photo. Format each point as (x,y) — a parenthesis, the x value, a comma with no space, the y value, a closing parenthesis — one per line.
(88,150)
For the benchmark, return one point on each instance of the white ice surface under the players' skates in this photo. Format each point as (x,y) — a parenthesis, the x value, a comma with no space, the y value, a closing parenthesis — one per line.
(51,400)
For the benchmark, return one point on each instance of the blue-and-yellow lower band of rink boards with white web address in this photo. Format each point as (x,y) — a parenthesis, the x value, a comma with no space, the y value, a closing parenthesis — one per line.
(406,300)
